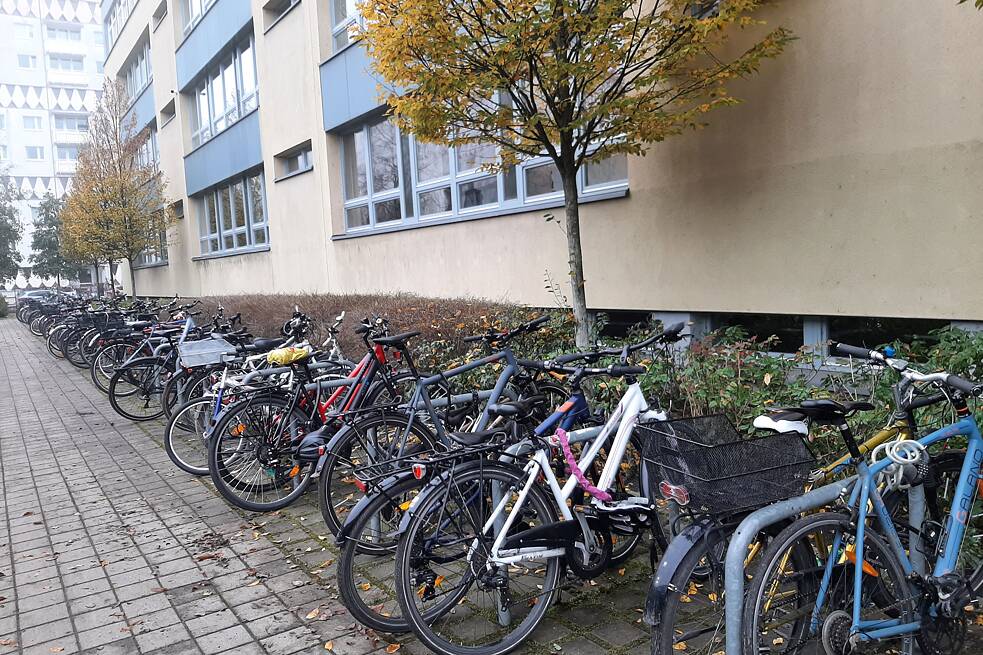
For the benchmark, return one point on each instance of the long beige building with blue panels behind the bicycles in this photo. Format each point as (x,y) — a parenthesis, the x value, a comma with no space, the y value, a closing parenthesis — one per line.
(840,200)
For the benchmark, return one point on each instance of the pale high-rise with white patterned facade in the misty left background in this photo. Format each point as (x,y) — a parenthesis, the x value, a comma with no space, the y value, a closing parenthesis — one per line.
(51,71)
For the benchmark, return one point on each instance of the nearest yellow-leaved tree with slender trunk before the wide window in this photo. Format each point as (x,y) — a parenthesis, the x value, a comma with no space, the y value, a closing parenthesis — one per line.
(575,80)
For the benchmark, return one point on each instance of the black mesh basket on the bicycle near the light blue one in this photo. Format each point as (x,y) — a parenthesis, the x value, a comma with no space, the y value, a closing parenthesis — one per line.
(723,472)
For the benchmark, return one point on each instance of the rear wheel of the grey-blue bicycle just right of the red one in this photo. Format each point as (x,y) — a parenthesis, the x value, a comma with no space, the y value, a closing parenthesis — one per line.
(371,439)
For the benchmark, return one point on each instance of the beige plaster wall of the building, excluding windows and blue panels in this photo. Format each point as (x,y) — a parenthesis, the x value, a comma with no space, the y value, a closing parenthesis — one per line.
(845,184)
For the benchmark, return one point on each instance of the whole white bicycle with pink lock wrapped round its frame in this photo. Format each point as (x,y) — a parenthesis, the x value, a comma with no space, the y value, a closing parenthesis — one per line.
(483,546)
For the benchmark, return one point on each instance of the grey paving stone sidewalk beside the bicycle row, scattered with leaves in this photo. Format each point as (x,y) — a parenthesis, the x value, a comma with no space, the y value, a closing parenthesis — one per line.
(106,547)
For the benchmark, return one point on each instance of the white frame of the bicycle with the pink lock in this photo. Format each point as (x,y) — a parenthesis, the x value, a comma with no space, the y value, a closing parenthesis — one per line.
(621,422)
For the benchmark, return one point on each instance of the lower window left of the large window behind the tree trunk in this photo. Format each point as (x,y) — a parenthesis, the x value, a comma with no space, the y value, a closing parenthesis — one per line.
(233,216)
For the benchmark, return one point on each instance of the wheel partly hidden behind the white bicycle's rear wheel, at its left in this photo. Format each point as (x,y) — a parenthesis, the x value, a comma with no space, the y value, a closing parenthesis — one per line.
(366,568)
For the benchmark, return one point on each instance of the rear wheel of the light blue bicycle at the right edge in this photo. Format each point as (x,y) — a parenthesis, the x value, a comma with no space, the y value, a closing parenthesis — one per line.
(781,613)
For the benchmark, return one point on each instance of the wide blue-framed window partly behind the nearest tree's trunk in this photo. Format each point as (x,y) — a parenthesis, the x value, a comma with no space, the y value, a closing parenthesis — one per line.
(391,178)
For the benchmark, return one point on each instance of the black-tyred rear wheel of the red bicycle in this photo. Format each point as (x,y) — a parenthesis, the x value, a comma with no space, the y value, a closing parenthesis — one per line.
(251,455)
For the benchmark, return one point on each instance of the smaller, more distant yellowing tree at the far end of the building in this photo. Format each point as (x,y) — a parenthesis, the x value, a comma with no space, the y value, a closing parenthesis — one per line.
(117,208)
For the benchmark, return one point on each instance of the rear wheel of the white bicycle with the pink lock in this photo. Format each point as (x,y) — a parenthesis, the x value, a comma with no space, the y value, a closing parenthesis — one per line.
(455,599)
